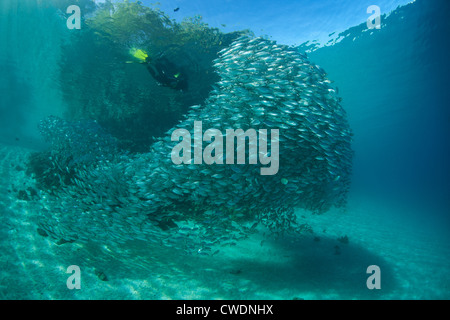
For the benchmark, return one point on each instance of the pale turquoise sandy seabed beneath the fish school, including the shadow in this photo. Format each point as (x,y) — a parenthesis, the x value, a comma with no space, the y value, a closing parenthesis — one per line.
(413,256)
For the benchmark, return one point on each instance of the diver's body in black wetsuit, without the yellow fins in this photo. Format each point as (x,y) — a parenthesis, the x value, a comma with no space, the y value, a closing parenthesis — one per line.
(168,74)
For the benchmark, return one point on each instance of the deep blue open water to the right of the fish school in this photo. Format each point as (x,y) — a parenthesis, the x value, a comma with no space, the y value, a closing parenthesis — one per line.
(392,82)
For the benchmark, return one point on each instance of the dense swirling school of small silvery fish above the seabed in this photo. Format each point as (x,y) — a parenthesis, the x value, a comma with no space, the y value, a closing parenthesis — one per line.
(196,207)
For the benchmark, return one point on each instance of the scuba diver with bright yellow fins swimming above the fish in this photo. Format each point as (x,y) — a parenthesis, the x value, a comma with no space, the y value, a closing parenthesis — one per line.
(162,70)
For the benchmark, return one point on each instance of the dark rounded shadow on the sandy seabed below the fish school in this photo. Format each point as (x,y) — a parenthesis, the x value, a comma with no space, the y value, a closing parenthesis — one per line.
(315,266)
